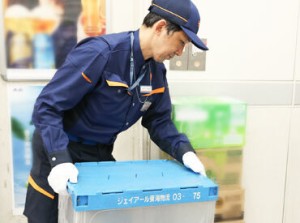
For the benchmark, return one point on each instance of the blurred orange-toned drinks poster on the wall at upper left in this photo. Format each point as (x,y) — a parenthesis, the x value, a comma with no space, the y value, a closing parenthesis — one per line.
(38,34)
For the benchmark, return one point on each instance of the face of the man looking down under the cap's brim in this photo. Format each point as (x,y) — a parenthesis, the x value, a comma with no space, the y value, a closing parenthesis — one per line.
(167,45)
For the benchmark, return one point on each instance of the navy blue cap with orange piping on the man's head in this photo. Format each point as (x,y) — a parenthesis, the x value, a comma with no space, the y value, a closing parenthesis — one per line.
(183,13)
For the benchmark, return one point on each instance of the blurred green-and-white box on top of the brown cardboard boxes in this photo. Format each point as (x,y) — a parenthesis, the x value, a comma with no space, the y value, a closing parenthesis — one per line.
(210,122)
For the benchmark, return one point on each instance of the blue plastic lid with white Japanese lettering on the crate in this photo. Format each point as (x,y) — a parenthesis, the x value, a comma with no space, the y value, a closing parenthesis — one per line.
(127,184)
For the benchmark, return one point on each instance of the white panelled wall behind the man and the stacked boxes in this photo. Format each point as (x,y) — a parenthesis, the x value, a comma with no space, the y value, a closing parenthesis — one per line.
(254,56)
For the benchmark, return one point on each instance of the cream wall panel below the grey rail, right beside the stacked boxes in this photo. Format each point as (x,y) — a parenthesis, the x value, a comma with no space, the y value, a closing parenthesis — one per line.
(265,161)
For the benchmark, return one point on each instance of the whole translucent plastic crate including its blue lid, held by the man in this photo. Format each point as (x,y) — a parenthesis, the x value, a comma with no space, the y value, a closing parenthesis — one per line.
(138,191)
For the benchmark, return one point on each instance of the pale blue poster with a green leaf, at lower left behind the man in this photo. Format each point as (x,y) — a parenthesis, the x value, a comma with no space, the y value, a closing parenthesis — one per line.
(21,102)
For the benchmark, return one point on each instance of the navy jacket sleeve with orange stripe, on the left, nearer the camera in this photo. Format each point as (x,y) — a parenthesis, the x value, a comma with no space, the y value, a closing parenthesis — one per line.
(77,76)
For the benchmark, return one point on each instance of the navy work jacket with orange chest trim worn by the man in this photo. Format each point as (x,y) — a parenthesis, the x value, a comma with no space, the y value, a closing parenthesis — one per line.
(88,98)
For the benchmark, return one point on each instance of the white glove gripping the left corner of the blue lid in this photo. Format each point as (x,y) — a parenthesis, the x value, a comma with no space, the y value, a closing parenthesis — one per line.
(60,175)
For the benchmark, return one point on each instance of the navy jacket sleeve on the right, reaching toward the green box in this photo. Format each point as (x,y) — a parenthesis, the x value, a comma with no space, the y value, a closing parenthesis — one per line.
(162,130)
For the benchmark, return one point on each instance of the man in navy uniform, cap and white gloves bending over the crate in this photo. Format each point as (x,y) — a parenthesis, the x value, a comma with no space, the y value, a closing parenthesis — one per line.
(106,84)
